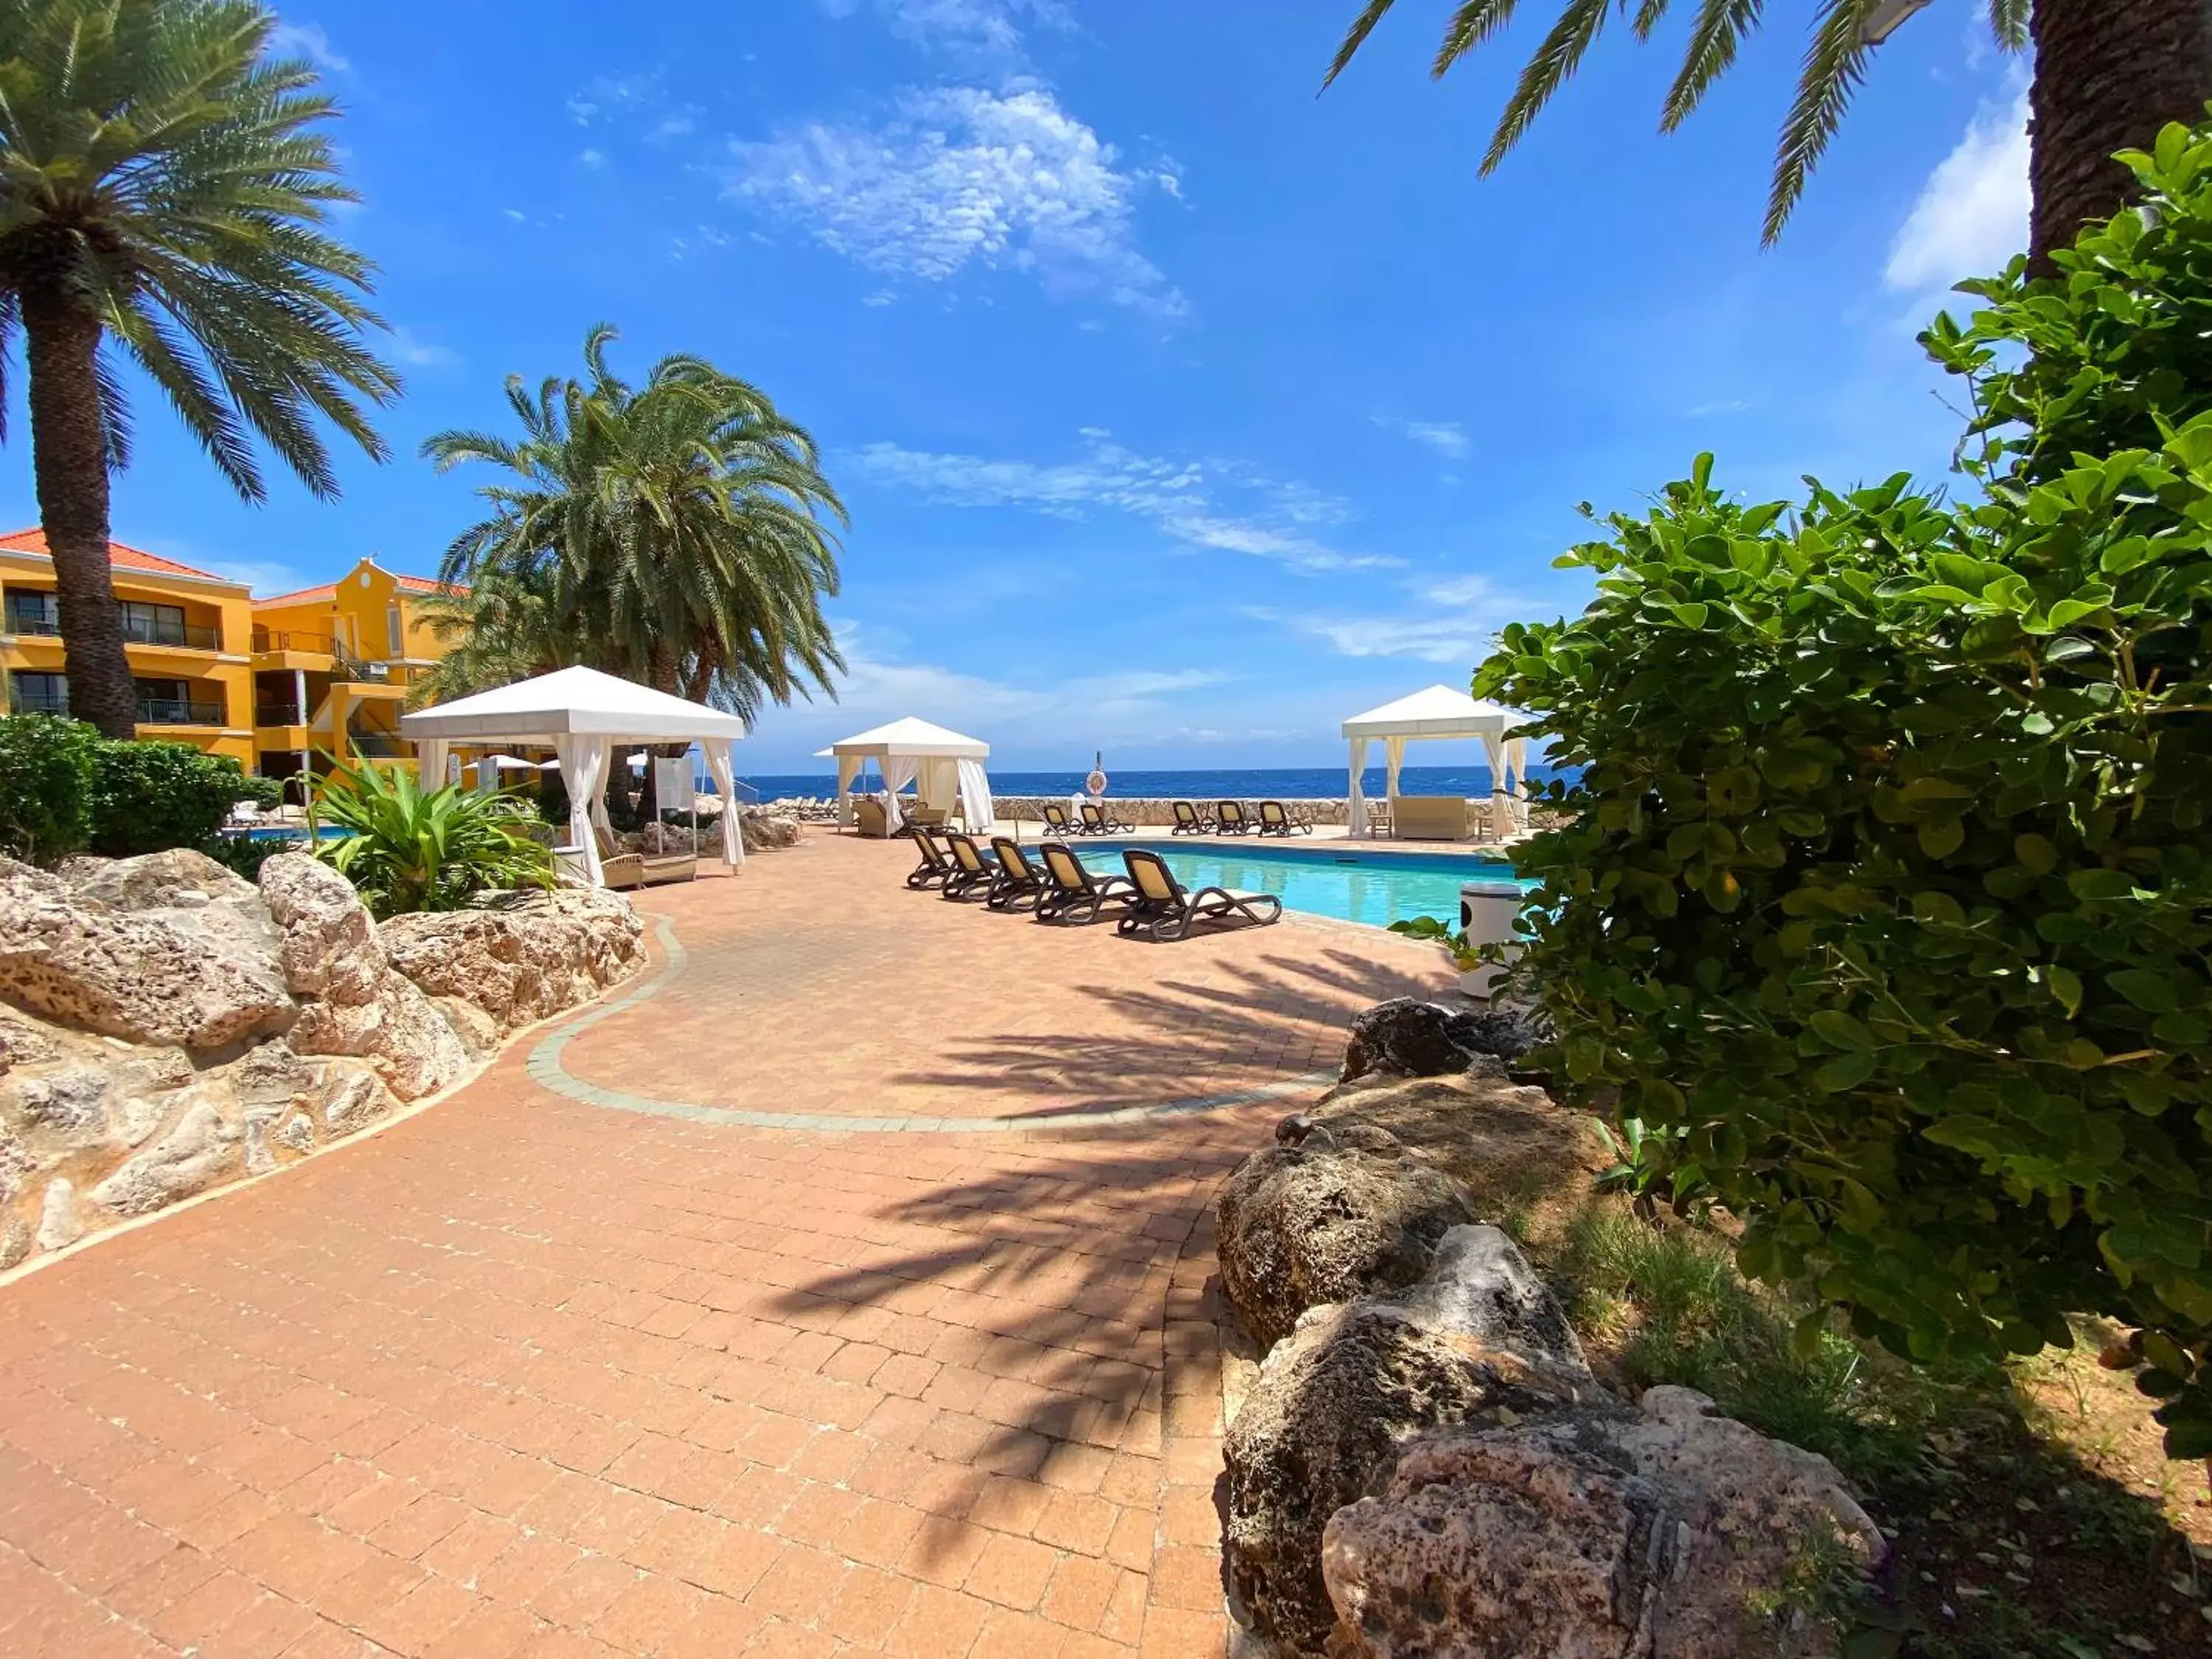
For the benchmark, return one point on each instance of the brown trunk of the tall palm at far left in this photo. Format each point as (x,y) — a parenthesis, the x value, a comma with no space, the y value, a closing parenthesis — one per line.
(70,457)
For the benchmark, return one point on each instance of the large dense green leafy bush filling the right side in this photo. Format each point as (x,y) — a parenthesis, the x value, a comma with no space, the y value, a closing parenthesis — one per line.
(1886,899)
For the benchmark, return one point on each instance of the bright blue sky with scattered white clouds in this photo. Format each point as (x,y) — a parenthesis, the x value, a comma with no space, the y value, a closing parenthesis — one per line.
(1180,413)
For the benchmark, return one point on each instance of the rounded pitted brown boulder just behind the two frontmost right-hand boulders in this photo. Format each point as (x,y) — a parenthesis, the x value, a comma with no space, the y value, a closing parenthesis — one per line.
(1326,1220)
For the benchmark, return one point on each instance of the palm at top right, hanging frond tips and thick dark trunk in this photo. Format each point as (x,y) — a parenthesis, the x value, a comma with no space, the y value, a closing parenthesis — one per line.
(2109,74)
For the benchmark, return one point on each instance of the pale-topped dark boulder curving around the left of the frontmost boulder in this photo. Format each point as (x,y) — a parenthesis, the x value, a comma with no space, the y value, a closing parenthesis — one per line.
(1322,1430)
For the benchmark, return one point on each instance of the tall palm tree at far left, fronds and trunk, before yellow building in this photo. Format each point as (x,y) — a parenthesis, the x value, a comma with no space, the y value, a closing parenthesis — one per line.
(163,194)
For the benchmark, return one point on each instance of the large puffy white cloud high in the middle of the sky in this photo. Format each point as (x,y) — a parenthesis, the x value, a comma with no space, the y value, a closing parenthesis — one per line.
(963,176)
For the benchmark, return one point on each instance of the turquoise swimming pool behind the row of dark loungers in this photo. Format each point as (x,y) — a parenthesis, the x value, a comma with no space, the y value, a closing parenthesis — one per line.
(1324,879)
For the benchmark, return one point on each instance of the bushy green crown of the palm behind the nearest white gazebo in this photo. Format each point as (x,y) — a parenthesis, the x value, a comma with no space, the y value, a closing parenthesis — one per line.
(669,532)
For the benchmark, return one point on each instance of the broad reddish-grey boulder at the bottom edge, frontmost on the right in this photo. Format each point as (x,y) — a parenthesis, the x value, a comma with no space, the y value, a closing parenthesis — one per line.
(1592,1534)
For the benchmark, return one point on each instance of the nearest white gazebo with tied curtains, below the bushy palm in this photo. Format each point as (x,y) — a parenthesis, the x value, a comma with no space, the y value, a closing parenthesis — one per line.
(585,716)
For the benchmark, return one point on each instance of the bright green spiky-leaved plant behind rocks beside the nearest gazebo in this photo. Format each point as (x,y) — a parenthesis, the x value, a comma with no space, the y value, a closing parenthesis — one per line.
(410,851)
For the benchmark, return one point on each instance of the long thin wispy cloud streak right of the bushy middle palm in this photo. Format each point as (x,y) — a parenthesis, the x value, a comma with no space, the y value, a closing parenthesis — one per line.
(1211,505)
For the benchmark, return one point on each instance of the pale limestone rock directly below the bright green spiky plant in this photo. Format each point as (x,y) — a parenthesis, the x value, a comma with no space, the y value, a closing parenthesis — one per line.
(525,957)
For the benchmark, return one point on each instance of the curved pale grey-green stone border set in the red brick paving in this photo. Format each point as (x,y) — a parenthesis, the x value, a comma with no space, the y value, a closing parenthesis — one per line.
(547,1072)
